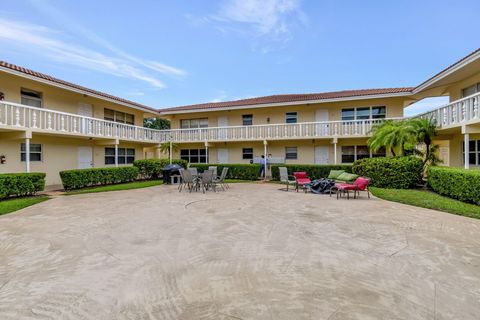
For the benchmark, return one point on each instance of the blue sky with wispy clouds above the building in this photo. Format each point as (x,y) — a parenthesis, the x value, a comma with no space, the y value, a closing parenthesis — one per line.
(170,53)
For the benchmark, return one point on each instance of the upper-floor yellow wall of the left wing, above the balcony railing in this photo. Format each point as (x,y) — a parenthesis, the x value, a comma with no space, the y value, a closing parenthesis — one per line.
(60,99)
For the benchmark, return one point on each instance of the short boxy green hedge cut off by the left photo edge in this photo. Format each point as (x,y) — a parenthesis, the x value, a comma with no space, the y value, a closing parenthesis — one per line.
(21,184)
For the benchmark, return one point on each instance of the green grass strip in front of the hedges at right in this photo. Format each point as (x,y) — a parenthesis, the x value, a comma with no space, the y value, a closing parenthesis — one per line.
(428,199)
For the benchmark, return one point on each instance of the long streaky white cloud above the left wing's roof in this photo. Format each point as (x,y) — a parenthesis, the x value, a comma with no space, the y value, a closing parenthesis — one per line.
(52,44)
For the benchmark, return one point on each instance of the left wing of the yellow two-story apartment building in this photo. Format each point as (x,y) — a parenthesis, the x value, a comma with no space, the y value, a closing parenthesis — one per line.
(49,125)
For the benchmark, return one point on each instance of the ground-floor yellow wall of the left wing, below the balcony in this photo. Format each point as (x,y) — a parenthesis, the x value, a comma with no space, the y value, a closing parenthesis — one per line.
(57,154)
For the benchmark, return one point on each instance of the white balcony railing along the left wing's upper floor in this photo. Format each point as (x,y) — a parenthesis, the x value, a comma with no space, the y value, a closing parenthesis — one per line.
(45,120)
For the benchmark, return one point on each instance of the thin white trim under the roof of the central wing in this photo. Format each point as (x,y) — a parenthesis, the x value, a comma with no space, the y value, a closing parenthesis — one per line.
(292,103)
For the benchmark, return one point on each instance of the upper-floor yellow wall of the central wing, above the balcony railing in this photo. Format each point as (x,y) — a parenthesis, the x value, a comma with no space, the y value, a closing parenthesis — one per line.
(305,113)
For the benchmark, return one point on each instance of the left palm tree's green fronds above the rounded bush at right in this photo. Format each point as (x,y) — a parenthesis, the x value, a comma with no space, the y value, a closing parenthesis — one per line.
(393,135)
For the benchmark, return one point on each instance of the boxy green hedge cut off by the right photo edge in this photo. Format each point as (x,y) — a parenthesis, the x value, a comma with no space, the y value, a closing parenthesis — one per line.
(460,184)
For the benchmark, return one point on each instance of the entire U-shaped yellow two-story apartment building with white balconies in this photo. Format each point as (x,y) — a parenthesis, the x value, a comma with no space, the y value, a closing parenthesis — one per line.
(49,125)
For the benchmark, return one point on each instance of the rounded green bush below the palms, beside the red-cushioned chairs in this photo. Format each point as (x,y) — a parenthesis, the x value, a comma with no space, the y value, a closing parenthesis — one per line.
(391,172)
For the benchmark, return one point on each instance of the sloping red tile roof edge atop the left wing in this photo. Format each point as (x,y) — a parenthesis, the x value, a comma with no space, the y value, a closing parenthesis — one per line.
(73,86)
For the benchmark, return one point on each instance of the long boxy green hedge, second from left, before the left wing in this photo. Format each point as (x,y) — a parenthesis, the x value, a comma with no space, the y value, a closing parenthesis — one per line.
(81,178)
